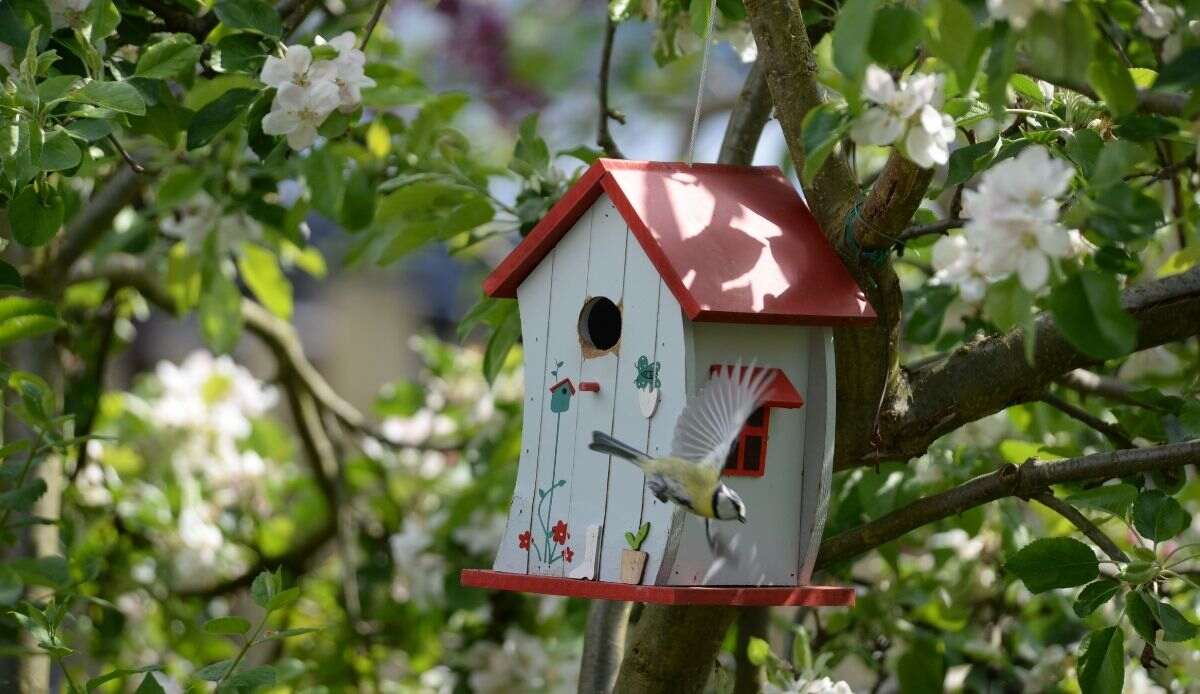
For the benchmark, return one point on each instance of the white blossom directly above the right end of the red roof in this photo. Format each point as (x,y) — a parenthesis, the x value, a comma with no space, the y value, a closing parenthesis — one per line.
(908,116)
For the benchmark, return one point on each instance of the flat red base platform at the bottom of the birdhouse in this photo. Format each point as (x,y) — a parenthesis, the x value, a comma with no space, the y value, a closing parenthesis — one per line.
(807,596)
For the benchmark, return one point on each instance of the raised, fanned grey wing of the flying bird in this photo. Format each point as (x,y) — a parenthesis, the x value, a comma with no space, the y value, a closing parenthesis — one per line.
(711,422)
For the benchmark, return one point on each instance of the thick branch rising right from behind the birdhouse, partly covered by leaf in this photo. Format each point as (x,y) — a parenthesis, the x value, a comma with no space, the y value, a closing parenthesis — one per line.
(992,374)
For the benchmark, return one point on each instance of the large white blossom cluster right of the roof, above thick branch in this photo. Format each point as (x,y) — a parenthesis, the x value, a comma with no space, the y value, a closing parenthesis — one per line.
(1015,220)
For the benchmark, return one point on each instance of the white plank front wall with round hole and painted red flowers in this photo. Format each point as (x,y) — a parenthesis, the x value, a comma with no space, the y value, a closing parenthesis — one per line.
(563,488)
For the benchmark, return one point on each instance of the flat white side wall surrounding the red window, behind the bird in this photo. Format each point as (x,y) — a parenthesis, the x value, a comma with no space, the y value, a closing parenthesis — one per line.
(767,547)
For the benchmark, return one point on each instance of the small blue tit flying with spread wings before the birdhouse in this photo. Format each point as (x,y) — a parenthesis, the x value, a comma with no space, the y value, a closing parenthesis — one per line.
(705,432)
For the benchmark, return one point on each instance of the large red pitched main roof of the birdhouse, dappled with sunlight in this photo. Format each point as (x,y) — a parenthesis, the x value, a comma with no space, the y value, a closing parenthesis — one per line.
(735,244)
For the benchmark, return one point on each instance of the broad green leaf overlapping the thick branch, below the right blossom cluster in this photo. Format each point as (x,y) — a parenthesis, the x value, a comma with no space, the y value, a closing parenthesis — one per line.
(1088,310)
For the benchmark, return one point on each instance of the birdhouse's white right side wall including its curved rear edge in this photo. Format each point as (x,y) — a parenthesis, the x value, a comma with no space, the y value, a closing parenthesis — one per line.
(784,502)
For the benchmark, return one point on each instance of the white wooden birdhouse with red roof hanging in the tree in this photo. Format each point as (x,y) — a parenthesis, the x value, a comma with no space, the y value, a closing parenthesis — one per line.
(641,283)
